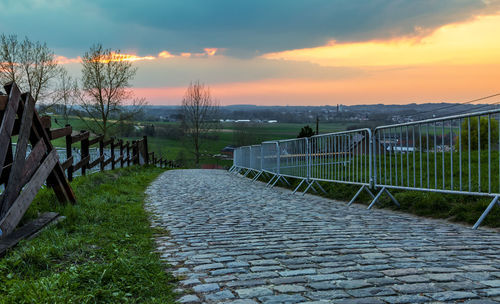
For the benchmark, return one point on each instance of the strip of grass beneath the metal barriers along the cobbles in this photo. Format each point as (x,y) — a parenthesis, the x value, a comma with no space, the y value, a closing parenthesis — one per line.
(458,208)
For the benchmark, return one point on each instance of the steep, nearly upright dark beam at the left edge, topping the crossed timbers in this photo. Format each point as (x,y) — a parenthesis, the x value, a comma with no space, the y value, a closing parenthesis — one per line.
(8,120)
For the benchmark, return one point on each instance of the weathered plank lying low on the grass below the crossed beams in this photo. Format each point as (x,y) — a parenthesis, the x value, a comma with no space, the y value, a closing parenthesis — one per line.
(26,231)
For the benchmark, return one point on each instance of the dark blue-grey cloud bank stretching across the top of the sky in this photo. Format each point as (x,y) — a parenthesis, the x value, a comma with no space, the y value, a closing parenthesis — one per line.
(244,28)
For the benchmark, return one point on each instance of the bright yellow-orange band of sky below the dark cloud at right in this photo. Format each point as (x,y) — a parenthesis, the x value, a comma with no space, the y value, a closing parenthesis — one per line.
(473,42)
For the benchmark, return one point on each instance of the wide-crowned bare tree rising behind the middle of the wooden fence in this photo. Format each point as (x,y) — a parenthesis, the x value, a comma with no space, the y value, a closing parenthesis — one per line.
(105,90)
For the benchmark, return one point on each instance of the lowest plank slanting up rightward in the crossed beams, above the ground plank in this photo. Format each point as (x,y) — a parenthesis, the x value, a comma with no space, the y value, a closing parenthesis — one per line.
(23,201)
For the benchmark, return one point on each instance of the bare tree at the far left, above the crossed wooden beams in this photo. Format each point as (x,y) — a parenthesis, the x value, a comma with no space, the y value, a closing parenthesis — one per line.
(32,65)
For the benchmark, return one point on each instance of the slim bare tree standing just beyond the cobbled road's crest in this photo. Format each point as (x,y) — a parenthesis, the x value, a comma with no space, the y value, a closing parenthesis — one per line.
(199,111)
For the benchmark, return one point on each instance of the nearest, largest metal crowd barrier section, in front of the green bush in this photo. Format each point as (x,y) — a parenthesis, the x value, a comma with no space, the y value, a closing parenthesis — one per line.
(455,154)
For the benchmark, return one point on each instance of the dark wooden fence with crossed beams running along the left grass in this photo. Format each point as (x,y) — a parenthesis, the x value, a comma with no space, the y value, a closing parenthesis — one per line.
(22,174)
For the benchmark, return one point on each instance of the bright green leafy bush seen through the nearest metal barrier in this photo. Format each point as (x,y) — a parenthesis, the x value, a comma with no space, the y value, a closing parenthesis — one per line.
(483,128)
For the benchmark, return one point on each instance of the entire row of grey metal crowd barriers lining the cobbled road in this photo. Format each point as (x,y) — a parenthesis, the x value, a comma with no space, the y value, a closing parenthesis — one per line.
(457,154)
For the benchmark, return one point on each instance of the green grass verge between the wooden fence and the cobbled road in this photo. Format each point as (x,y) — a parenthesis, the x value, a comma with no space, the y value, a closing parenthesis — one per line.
(101,252)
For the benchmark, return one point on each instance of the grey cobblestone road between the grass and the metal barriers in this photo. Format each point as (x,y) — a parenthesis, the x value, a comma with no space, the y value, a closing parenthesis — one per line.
(234,241)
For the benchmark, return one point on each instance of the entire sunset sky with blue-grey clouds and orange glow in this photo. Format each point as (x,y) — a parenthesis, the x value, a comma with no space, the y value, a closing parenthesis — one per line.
(281,52)
